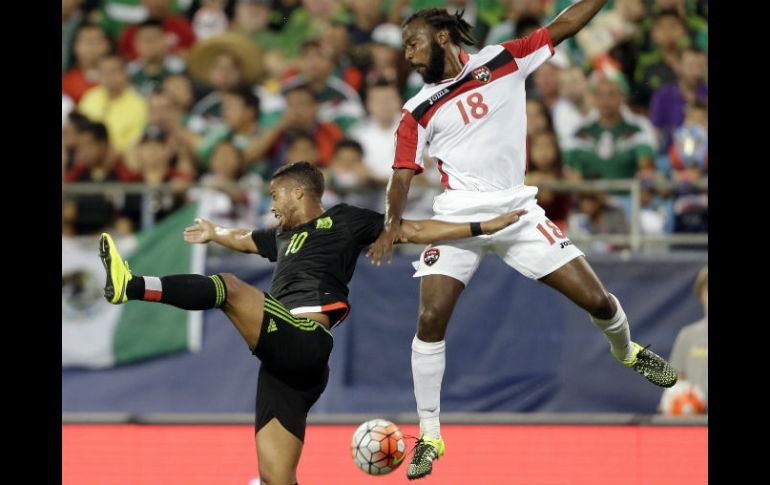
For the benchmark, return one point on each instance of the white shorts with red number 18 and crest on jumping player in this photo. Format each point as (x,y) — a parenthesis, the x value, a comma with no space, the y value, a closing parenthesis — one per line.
(534,246)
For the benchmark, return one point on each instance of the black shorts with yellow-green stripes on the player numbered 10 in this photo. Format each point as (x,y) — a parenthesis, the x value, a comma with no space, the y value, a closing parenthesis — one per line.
(294,372)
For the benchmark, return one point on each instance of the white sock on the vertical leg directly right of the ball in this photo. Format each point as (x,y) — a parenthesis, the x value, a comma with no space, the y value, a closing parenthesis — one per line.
(428,359)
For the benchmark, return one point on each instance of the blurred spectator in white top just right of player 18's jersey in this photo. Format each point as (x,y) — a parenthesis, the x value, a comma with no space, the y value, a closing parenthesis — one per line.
(574,105)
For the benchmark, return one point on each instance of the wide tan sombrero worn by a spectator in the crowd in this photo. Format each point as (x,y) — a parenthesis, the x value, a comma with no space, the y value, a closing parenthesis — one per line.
(202,55)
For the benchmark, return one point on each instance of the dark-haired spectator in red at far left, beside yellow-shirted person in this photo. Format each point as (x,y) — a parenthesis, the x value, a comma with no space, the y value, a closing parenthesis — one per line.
(90,45)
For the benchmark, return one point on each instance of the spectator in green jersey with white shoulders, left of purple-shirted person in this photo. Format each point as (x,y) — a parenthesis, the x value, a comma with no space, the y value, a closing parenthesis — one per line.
(611,146)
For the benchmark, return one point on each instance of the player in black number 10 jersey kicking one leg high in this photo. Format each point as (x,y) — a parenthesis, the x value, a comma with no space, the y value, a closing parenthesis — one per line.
(288,329)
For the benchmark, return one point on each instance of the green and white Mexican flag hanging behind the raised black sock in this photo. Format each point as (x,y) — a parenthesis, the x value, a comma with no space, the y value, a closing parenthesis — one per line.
(96,334)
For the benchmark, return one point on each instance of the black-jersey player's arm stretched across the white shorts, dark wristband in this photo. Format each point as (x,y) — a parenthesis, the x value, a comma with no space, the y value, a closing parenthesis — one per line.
(429,231)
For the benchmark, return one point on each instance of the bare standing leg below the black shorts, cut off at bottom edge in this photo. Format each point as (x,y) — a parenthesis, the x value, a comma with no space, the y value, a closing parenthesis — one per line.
(278,452)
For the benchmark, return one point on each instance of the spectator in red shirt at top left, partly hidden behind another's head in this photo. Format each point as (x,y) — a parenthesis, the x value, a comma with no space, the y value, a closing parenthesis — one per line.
(180,34)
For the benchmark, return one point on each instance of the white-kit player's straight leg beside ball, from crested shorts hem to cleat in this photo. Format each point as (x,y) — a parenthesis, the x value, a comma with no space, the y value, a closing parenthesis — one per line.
(444,270)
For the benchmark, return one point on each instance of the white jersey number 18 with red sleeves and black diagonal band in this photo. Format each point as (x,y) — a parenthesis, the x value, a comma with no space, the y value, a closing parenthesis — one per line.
(475,124)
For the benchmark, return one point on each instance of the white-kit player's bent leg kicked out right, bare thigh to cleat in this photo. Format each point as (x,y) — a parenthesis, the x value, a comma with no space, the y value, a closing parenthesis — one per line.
(577,281)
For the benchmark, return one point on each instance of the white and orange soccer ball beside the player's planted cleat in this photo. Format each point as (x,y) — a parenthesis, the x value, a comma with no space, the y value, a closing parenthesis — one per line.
(378,447)
